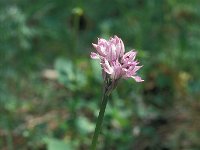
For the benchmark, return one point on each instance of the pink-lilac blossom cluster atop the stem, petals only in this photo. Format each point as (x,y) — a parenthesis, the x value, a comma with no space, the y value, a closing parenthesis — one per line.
(114,61)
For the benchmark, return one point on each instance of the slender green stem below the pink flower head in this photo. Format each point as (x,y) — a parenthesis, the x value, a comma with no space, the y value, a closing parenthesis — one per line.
(99,120)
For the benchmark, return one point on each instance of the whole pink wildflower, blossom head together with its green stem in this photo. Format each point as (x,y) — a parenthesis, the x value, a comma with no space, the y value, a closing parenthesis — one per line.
(115,64)
